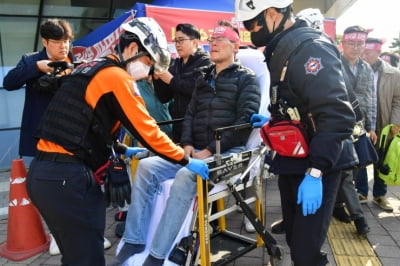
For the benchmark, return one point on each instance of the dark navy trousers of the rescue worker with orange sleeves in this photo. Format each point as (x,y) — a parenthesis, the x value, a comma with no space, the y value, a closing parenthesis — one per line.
(72,205)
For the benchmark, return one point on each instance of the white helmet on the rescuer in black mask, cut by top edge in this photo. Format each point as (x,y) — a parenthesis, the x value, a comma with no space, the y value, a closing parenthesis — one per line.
(248,9)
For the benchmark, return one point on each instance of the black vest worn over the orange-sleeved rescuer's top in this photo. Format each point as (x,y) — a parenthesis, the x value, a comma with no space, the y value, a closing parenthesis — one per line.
(70,122)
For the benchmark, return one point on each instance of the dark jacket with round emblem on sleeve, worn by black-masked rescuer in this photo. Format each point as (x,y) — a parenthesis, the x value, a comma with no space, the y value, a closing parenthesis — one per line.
(314,84)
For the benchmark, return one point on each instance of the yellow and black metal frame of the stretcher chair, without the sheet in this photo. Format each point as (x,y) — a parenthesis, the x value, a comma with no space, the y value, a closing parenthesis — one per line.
(223,246)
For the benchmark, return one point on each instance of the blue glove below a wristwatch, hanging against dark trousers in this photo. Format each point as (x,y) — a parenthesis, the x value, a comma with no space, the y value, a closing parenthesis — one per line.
(310,194)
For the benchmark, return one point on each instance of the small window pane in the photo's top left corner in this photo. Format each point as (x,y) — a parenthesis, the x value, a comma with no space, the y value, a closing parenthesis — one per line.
(19,7)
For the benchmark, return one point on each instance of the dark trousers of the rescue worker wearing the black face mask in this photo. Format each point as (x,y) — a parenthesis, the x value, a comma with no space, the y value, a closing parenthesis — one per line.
(305,235)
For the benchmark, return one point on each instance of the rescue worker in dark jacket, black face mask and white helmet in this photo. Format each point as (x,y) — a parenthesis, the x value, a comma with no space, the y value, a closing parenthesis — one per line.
(306,79)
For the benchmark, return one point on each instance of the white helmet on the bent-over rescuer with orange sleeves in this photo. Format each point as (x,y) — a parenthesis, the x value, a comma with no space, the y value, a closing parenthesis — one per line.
(153,39)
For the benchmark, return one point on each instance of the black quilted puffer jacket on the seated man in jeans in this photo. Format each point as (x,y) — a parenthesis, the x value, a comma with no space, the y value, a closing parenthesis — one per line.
(231,99)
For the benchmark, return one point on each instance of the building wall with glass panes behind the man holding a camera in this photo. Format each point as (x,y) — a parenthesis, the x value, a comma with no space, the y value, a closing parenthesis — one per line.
(19,34)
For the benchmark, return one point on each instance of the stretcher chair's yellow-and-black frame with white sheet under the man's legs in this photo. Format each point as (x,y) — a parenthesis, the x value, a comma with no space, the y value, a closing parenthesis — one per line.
(195,243)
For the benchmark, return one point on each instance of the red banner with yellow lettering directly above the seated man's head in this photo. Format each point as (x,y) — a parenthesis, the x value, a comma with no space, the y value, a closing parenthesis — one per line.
(204,20)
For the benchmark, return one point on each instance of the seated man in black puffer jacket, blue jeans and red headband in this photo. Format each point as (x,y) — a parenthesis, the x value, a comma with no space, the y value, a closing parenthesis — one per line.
(225,94)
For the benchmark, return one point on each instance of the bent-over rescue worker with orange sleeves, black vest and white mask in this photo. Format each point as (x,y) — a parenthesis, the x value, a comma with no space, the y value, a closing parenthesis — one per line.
(76,138)
